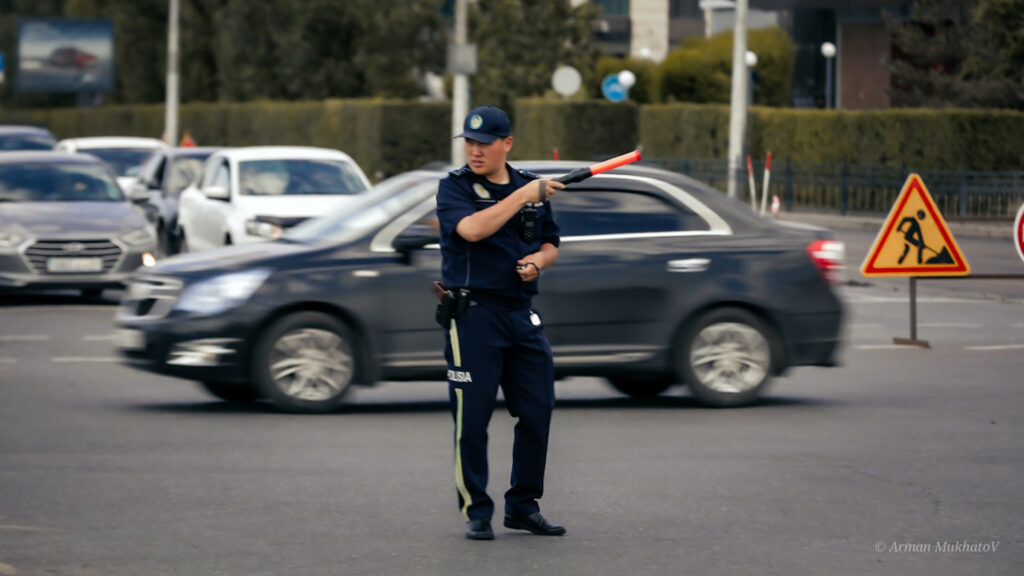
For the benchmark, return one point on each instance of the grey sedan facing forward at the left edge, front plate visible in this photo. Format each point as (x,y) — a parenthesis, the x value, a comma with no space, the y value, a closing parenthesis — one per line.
(66,224)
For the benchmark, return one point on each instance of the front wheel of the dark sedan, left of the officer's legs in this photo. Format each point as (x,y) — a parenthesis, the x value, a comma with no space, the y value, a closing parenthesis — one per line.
(306,363)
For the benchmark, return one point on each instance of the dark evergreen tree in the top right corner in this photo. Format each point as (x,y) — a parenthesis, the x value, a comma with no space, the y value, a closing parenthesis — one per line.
(959,53)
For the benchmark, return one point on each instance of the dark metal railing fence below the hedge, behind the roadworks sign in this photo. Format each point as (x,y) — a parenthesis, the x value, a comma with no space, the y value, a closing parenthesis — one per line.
(865,189)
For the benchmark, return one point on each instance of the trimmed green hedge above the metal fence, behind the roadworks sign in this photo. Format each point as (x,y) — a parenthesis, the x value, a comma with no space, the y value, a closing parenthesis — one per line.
(919,139)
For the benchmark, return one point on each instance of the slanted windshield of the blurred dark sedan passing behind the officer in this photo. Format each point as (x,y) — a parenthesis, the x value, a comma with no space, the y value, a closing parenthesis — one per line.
(388,200)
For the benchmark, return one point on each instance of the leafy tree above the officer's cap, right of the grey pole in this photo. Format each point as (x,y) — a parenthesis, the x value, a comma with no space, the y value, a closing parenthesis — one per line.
(522,43)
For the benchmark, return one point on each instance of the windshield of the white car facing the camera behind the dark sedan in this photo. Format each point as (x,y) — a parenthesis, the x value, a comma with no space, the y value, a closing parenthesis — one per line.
(277,178)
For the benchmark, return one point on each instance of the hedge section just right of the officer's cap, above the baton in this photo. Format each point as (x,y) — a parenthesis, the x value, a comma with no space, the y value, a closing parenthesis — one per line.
(581,131)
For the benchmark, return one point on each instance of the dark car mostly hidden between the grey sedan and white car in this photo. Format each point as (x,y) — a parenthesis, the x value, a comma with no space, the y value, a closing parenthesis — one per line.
(163,178)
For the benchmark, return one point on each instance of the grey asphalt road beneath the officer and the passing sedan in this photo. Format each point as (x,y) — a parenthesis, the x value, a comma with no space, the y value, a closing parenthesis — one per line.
(902,462)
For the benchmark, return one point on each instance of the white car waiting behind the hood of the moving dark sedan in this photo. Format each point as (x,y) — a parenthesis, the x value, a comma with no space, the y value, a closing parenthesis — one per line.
(249,195)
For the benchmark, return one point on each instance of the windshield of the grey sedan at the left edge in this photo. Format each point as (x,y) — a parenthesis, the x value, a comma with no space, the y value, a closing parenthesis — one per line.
(58,183)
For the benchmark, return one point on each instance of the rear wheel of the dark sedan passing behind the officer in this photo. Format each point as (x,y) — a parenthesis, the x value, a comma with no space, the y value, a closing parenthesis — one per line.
(728,357)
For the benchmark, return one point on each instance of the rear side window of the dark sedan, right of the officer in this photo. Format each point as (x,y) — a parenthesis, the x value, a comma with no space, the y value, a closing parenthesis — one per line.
(590,213)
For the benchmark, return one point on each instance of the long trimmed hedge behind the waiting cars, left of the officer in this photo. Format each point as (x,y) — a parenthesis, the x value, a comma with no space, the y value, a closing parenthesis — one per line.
(383,137)
